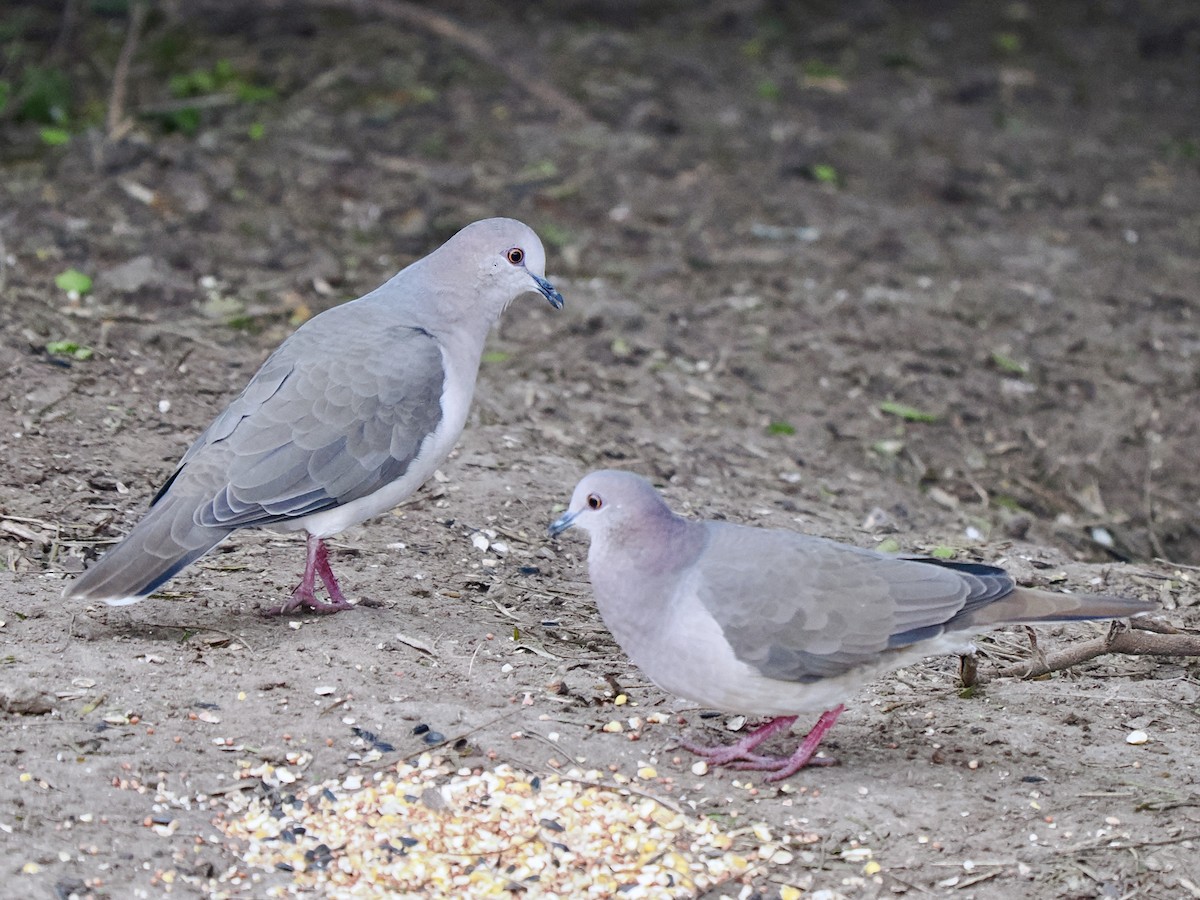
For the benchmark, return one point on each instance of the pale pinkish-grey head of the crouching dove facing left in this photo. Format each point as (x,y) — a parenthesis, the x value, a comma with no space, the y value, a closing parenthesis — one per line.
(615,506)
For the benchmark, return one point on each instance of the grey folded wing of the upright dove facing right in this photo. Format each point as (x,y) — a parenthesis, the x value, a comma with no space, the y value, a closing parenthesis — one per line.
(335,415)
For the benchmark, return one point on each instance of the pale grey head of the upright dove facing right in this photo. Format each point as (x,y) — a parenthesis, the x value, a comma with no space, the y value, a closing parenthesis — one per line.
(502,257)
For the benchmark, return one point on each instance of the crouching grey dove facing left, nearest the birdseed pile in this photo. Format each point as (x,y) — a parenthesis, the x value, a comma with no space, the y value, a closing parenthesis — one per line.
(777,623)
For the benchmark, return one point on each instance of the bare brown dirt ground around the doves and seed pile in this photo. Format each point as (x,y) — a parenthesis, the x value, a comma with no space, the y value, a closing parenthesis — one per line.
(767,221)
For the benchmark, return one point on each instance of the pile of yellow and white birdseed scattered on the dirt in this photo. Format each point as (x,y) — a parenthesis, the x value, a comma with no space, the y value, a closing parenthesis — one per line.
(490,833)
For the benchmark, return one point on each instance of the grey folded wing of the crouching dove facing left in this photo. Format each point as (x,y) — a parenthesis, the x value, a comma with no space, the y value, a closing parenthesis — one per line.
(805,609)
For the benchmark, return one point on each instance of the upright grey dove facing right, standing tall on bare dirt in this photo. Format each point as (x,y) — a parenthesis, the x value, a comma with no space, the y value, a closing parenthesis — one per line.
(345,421)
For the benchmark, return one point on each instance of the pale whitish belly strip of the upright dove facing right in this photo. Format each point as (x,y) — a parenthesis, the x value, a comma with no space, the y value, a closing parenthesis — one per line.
(455,404)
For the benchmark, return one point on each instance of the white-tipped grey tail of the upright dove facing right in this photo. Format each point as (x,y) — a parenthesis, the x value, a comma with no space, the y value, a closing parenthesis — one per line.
(163,544)
